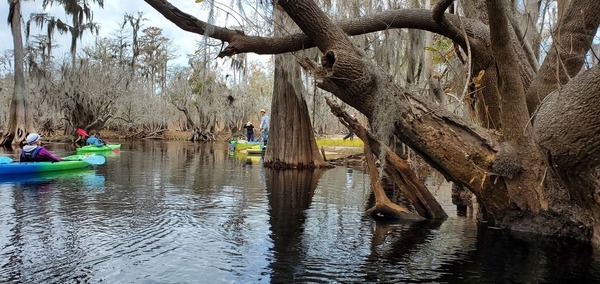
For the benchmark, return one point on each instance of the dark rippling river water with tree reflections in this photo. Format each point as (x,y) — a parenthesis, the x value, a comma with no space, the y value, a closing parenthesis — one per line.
(177,212)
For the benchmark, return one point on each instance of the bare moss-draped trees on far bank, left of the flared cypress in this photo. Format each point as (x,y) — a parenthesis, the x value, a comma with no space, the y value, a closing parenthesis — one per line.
(124,81)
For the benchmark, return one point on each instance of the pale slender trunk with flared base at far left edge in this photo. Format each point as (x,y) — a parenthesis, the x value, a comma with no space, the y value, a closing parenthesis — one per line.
(20,121)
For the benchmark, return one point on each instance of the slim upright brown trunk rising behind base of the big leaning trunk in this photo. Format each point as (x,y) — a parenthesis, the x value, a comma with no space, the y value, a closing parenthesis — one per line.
(526,167)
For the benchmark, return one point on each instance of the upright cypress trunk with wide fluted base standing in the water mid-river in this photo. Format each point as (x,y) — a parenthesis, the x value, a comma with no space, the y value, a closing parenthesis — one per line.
(291,142)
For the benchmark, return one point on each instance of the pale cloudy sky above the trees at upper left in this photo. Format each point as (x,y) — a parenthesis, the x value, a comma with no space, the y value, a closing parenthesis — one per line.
(109,19)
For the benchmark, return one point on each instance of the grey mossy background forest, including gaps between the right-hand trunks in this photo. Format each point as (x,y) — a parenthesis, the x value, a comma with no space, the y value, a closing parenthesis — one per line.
(129,82)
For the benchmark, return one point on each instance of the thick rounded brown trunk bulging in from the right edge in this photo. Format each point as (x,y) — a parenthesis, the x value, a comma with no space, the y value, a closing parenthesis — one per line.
(567,132)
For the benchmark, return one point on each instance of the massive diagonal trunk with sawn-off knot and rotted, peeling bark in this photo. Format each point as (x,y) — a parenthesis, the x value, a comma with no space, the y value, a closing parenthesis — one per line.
(492,170)
